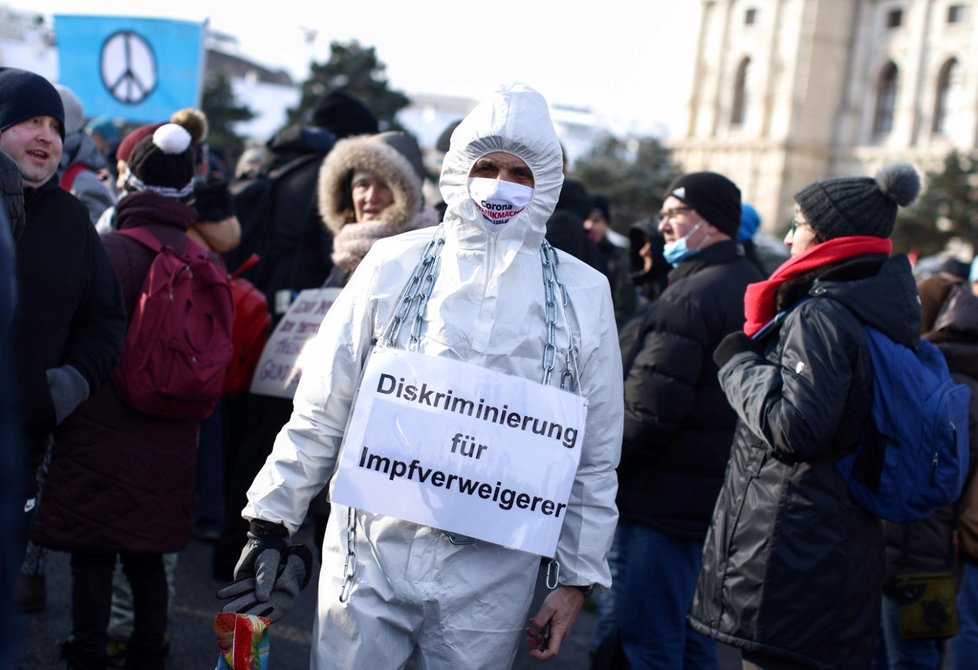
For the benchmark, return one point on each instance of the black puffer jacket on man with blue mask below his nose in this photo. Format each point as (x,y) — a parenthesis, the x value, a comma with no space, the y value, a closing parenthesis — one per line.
(678,424)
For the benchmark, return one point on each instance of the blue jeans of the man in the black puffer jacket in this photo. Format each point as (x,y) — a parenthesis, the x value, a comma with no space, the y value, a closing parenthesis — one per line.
(653,598)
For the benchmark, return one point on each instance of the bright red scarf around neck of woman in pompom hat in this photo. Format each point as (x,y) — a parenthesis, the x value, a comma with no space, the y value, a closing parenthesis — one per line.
(759,300)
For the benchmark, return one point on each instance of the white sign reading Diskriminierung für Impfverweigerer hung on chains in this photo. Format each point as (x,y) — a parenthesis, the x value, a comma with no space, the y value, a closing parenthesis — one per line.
(461,448)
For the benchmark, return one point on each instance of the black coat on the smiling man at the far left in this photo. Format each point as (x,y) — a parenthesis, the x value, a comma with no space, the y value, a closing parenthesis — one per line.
(70,305)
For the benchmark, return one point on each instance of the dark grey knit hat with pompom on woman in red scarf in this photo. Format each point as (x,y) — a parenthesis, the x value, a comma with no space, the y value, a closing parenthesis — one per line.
(849,206)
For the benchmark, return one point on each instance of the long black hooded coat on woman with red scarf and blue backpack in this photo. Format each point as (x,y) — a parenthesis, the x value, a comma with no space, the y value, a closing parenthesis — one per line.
(793,566)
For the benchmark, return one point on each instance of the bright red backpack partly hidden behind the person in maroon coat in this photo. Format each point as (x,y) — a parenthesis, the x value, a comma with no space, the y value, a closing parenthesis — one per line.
(252,325)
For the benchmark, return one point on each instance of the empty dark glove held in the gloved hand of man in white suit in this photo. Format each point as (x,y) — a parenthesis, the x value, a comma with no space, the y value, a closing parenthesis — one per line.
(293,576)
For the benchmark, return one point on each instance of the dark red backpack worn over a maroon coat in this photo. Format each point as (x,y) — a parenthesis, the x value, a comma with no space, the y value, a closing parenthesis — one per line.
(178,344)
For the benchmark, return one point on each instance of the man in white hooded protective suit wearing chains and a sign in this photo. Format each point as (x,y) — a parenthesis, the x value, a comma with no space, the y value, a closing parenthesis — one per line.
(463,398)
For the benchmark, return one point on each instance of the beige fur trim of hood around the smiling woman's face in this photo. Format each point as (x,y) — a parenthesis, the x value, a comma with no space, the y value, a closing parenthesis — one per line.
(373,154)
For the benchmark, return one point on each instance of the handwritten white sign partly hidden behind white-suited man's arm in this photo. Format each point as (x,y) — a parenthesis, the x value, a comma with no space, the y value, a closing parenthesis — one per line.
(279,367)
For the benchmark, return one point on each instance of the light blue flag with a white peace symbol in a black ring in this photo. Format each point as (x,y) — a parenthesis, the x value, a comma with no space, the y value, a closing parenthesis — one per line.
(138,69)
